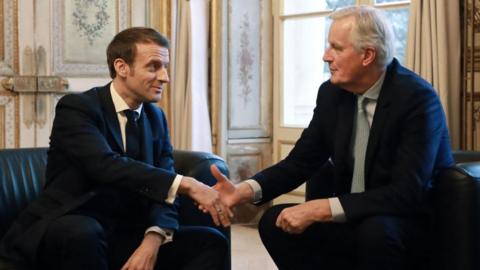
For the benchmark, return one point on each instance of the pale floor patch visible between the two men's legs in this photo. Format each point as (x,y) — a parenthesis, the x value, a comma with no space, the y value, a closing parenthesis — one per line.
(248,252)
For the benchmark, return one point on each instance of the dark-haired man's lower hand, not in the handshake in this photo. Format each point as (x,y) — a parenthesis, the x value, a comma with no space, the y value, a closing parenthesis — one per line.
(145,256)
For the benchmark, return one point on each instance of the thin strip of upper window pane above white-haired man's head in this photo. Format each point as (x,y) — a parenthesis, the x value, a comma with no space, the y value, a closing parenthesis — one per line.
(302,6)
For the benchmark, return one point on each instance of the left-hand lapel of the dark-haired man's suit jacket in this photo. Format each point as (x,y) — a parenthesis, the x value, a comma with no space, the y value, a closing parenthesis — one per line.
(111,116)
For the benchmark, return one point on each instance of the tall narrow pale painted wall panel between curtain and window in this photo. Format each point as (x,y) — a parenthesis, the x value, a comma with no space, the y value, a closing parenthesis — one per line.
(249,91)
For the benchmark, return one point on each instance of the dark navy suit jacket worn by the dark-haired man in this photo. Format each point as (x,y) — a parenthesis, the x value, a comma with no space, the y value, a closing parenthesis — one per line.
(85,156)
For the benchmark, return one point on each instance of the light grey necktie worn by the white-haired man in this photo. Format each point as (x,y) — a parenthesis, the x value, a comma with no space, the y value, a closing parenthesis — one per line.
(362,131)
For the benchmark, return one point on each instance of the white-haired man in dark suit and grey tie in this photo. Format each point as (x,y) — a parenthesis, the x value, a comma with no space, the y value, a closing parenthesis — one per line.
(383,128)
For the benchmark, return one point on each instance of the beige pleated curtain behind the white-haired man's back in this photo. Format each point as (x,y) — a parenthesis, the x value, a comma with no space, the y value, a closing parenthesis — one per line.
(433,51)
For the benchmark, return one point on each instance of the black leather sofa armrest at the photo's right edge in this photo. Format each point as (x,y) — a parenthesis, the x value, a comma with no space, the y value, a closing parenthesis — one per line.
(457,219)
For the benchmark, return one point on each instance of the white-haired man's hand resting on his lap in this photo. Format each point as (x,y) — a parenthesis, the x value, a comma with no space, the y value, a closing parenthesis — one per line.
(297,218)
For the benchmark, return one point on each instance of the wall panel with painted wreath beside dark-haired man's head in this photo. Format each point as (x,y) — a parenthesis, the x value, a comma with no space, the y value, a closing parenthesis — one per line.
(77,35)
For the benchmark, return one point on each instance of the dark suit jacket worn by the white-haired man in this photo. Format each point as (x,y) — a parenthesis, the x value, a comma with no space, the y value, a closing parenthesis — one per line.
(408,144)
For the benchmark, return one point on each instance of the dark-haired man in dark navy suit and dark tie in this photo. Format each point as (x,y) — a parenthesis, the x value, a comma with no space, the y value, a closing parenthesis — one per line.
(109,201)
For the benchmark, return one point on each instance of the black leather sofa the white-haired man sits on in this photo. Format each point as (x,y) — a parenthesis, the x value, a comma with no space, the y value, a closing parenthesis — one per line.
(454,241)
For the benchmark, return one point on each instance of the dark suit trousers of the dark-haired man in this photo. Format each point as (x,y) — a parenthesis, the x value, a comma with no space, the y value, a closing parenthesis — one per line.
(77,241)
